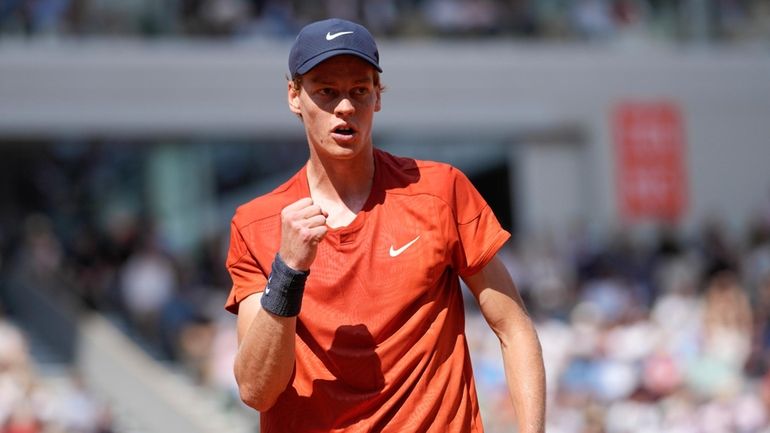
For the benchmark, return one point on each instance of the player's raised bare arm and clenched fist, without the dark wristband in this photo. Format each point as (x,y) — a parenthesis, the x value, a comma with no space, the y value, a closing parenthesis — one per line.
(265,359)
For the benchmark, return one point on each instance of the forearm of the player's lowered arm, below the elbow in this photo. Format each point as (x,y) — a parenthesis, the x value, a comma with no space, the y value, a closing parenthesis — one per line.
(525,375)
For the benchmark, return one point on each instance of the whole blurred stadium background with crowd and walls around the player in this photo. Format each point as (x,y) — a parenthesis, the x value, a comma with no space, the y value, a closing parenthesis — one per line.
(624,143)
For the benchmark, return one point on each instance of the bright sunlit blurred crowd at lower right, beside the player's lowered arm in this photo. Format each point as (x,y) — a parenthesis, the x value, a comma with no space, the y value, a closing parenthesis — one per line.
(671,335)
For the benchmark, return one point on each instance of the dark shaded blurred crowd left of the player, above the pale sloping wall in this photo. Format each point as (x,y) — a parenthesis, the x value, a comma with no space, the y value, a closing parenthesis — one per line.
(61,232)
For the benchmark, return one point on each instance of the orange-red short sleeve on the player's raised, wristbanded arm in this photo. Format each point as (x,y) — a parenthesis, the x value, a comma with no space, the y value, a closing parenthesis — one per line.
(247,275)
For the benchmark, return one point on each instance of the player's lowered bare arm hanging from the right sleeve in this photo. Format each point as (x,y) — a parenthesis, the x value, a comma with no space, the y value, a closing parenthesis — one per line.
(505,313)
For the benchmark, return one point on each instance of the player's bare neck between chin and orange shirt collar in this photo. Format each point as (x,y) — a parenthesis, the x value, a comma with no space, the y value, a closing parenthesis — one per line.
(341,186)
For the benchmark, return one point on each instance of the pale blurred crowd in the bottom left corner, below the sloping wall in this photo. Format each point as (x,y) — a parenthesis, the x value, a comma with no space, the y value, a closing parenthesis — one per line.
(31,402)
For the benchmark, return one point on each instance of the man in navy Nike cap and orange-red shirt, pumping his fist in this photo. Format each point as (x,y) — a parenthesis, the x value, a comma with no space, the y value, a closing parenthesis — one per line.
(345,278)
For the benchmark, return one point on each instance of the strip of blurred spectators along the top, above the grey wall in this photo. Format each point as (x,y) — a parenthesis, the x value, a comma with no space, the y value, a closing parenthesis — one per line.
(709,20)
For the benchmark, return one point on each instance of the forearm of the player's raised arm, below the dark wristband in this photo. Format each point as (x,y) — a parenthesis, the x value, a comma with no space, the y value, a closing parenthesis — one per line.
(265,359)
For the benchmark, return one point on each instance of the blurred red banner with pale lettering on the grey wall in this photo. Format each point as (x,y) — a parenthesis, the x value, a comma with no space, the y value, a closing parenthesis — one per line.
(650,155)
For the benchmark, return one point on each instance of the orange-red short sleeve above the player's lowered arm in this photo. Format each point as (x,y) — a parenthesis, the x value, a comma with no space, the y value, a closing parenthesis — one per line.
(479,234)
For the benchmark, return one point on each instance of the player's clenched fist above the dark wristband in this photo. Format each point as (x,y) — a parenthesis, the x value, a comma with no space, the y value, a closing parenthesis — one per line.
(303,226)
